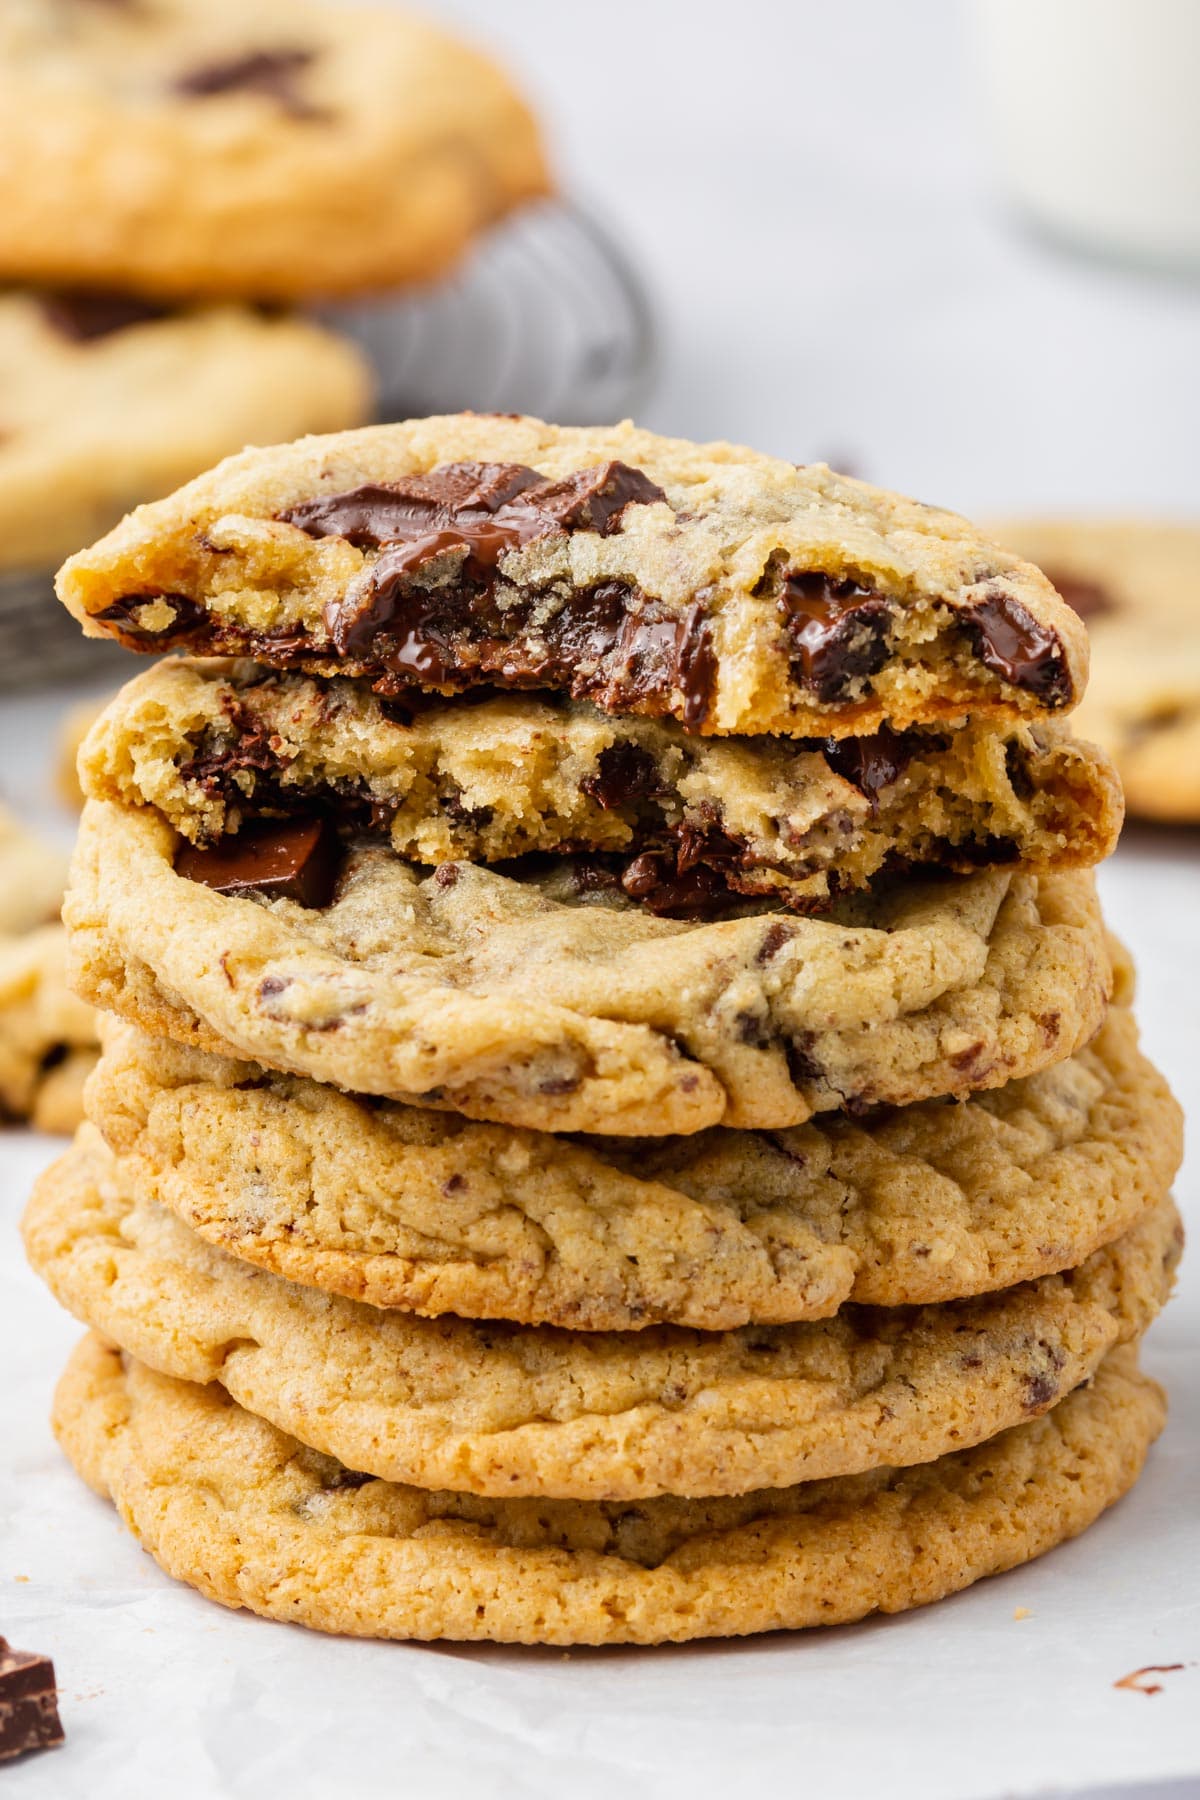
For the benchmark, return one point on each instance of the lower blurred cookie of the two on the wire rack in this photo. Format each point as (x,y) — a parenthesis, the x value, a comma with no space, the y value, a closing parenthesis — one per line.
(107,402)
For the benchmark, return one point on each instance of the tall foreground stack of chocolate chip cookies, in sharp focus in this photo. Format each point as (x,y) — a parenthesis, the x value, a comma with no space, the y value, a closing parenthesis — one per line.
(622,1119)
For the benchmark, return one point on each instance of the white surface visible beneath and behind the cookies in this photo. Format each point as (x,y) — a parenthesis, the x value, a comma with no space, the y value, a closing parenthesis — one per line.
(807,192)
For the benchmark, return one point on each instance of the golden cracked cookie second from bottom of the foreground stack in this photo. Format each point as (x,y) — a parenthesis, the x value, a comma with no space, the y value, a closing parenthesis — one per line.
(584,1416)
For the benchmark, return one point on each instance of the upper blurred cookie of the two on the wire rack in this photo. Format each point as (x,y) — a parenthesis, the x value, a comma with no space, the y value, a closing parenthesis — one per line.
(278,150)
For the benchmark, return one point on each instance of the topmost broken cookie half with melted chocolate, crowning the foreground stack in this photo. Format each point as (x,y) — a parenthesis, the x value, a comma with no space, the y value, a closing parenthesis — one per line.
(701,582)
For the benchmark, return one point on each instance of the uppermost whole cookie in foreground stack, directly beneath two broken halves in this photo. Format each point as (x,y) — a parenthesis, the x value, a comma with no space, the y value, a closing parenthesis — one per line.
(539,1000)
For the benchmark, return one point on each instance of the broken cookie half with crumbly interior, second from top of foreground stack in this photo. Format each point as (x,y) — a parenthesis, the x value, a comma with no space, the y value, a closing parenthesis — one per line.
(681,823)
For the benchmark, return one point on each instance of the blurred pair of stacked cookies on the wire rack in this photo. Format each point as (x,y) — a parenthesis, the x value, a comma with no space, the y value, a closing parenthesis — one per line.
(183,177)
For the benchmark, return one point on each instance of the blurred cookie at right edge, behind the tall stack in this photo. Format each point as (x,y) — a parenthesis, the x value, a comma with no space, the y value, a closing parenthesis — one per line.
(1136,584)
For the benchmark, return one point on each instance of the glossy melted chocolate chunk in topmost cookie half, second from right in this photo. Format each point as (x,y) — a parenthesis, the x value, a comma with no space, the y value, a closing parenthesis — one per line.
(839,631)
